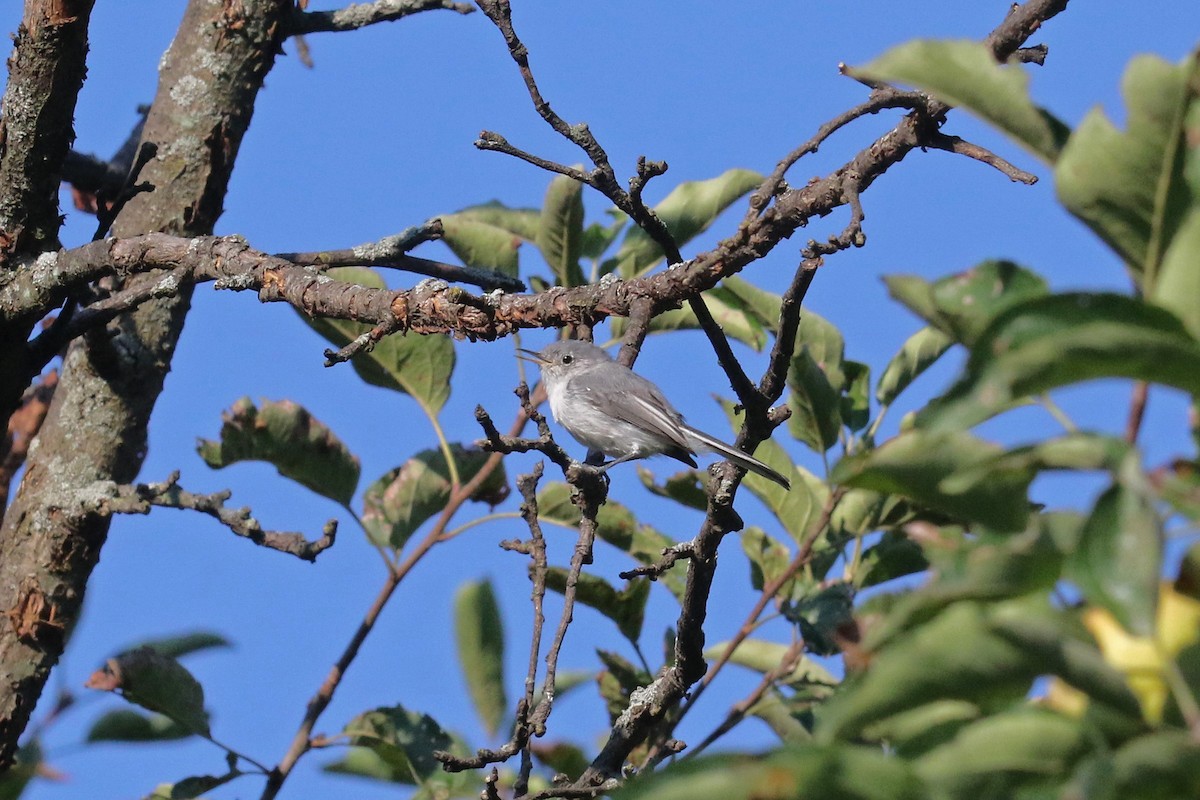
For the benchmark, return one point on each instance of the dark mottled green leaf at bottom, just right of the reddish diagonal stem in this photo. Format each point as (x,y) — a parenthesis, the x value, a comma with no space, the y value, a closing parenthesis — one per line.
(405,741)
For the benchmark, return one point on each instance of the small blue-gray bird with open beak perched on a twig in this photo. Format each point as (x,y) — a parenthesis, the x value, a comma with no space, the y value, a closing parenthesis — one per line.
(616,412)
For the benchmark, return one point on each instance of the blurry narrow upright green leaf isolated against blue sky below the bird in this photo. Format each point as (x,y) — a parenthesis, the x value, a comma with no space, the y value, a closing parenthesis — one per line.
(479,631)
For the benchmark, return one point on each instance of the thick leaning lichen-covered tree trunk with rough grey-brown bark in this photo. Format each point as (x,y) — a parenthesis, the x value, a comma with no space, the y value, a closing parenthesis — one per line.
(97,428)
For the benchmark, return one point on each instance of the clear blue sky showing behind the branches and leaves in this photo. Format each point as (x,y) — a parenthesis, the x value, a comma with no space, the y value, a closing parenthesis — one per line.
(379,137)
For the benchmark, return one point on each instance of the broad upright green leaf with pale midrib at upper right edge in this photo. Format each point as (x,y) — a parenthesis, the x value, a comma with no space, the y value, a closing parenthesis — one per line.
(1129,187)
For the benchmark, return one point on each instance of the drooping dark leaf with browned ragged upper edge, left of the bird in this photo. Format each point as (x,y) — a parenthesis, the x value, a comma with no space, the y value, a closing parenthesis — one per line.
(286,436)
